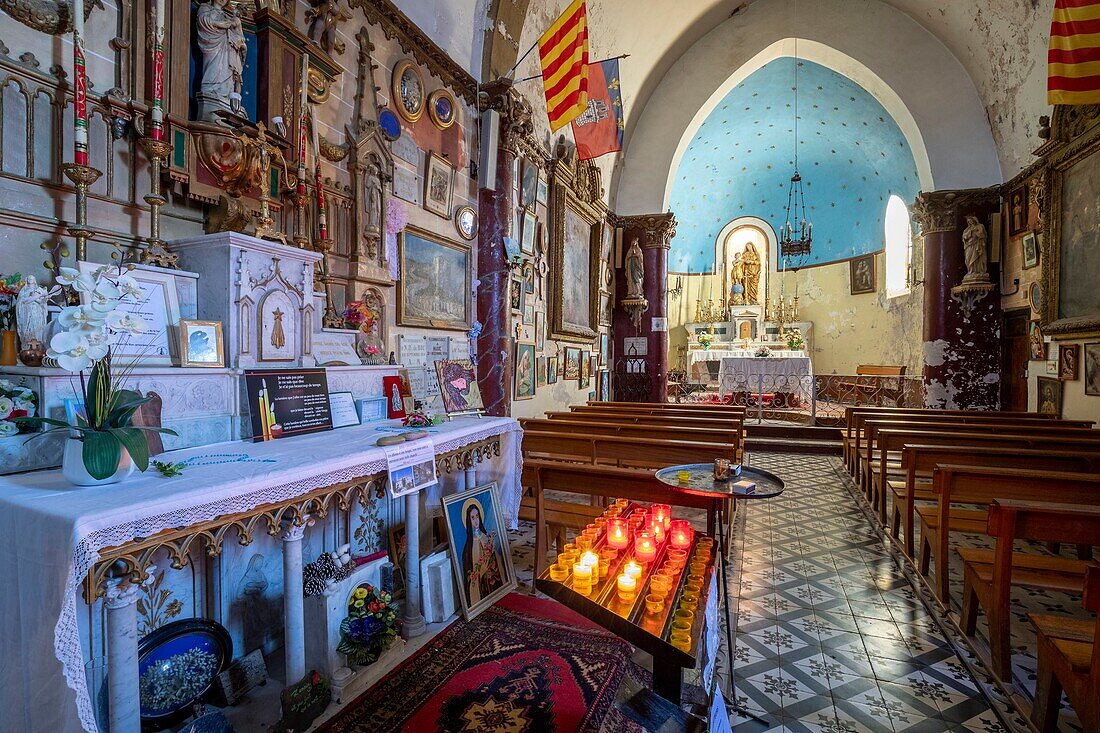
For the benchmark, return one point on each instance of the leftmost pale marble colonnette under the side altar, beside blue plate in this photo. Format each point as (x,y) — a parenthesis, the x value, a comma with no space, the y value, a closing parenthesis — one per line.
(123,684)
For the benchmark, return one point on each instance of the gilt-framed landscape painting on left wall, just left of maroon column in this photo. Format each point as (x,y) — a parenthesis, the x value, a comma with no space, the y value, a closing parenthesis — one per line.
(434,291)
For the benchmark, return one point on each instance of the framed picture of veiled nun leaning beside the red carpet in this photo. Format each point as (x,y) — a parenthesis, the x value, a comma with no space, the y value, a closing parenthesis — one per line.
(480,552)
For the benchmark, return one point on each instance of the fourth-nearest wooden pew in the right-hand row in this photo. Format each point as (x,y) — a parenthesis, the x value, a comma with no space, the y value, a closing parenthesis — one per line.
(918,463)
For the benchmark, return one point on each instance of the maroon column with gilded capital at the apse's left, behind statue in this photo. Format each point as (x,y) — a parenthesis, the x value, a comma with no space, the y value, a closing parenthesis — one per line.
(655,233)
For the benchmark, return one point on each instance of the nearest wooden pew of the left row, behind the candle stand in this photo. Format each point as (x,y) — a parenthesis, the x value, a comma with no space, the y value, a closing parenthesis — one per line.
(609,483)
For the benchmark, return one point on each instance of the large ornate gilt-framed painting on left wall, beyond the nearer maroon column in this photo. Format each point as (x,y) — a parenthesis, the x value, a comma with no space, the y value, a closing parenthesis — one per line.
(577,210)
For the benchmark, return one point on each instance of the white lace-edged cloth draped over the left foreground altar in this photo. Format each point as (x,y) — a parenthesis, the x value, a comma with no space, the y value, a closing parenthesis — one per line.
(51,534)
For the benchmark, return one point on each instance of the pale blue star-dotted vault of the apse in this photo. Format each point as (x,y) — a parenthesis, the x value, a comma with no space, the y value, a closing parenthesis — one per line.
(853,157)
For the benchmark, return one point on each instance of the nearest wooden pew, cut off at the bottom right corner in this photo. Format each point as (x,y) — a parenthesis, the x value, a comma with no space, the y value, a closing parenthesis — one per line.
(1070,660)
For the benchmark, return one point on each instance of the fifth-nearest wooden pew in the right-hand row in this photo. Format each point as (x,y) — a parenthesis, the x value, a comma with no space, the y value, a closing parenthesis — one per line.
(877,463)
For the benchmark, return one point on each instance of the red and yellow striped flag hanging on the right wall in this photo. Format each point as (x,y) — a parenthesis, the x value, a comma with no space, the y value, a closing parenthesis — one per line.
(1074,56)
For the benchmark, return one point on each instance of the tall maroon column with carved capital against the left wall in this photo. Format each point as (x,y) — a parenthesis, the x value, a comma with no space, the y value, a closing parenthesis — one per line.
(496,214)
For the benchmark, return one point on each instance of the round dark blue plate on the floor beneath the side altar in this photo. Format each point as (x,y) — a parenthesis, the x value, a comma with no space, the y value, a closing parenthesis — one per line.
(177,666)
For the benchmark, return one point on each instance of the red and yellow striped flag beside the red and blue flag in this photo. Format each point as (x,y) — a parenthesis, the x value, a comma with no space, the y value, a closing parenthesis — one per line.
(564,51)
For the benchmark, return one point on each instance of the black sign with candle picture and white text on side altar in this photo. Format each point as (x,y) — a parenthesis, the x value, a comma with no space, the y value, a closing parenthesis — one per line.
(287,402)
